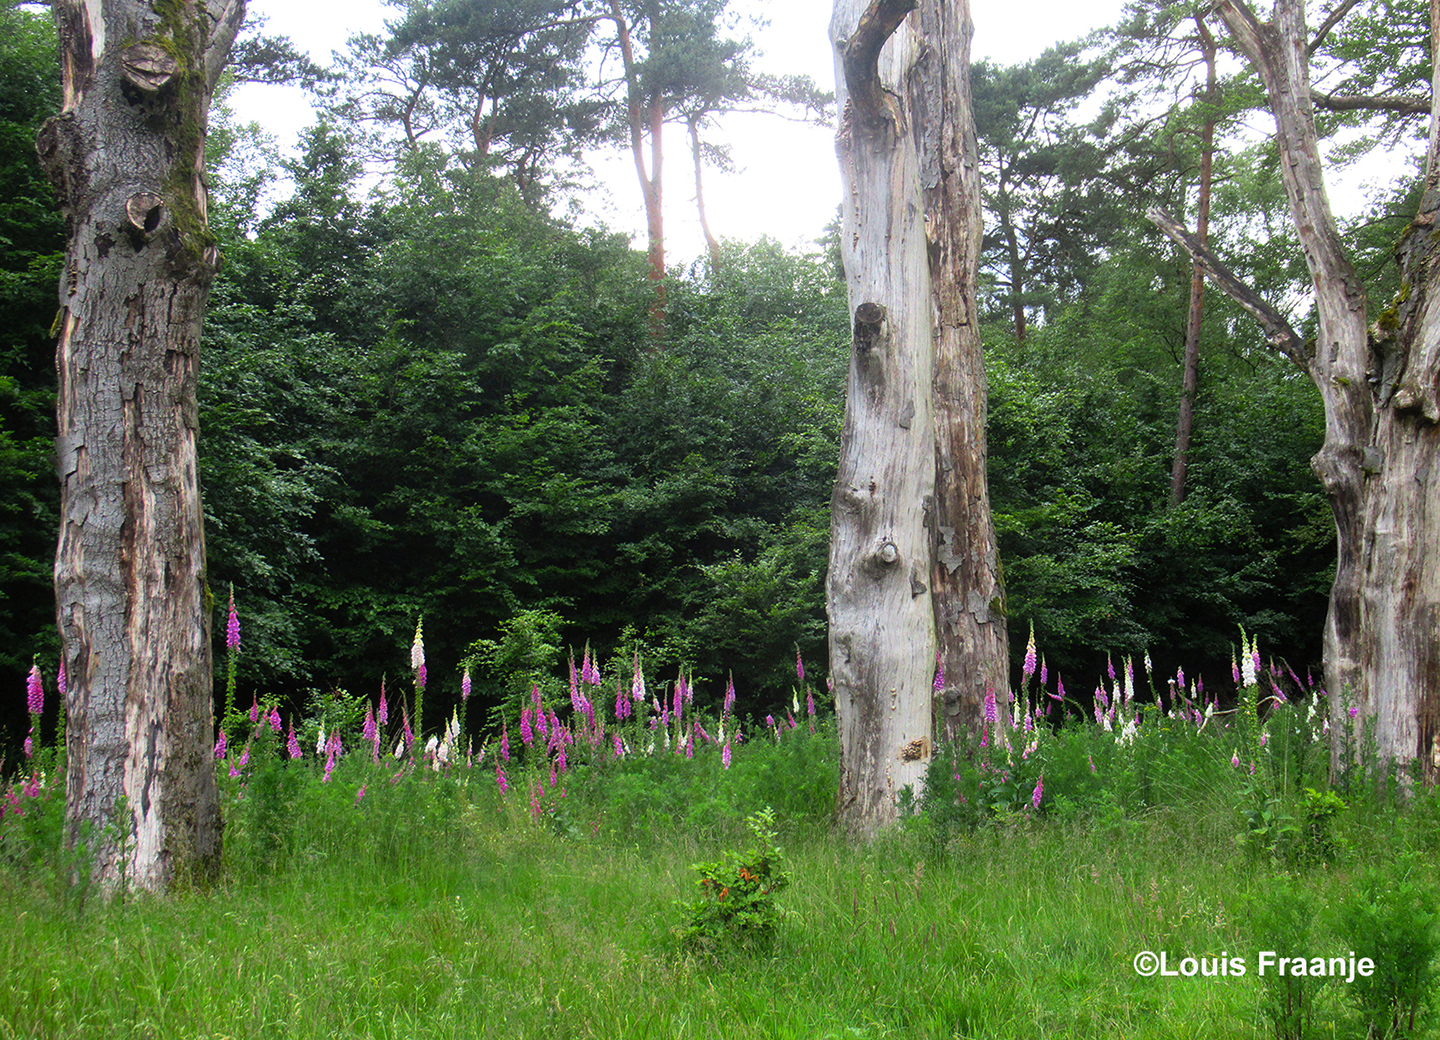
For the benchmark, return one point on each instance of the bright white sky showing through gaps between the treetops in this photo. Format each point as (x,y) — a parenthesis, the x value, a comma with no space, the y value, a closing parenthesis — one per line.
(787,185)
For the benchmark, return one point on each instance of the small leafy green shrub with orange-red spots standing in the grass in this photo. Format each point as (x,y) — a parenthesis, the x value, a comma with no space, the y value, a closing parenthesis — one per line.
(737,907)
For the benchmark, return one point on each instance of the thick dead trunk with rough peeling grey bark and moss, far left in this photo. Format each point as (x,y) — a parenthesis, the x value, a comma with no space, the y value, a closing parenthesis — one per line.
(133,607)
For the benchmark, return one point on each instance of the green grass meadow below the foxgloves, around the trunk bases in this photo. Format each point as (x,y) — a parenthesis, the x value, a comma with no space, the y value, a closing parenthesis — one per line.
(437,908)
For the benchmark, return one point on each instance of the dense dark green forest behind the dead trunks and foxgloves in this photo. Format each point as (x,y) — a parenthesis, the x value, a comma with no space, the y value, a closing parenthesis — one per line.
(428,394)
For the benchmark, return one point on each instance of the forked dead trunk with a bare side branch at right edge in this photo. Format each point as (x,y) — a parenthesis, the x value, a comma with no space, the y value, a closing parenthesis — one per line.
(1382,394)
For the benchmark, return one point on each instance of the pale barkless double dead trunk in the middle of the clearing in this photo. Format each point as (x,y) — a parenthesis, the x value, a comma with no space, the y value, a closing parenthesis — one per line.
(908,162)
